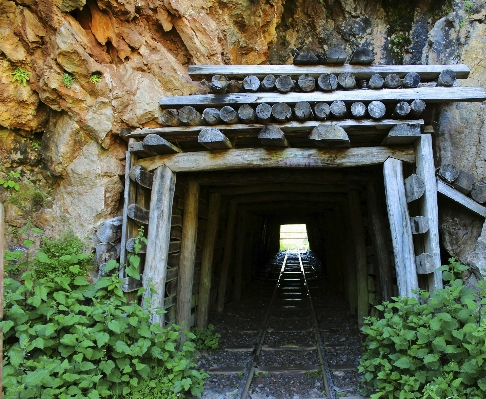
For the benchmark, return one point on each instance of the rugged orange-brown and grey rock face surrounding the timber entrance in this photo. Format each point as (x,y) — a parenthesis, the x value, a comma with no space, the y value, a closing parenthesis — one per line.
(95,67)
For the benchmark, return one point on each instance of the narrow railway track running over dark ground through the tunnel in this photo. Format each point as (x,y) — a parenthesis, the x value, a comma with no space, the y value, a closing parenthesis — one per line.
(289,342)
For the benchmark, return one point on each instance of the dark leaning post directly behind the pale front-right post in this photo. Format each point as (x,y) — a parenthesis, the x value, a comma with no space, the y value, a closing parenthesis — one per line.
(378,231)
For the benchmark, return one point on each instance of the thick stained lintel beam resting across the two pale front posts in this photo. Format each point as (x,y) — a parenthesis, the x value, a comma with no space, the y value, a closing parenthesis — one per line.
(252,158)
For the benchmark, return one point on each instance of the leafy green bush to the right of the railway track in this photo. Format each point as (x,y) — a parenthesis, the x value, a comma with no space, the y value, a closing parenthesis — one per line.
(433,348)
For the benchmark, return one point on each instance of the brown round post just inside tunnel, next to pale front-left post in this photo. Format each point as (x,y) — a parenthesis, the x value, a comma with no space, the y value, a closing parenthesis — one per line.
(188,254)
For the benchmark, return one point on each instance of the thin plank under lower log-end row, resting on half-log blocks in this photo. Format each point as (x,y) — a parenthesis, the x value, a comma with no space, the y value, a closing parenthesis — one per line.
(288,127)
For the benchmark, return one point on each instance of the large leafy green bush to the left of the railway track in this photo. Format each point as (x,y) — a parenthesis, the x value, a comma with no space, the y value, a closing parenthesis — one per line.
(65,338)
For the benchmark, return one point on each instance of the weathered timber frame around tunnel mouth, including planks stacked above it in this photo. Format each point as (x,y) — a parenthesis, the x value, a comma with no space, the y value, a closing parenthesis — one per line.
(401,146)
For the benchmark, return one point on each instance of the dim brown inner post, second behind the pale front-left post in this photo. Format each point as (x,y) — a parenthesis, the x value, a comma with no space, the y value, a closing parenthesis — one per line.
(207,260)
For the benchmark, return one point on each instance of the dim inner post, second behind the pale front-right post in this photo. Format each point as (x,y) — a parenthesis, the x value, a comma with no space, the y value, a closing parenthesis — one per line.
(357,229)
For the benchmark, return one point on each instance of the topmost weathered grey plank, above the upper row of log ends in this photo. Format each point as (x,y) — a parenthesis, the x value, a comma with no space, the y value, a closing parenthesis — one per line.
(426,72)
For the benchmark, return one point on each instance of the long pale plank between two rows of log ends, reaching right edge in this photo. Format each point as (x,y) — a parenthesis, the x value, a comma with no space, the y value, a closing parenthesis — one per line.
(427,94)
